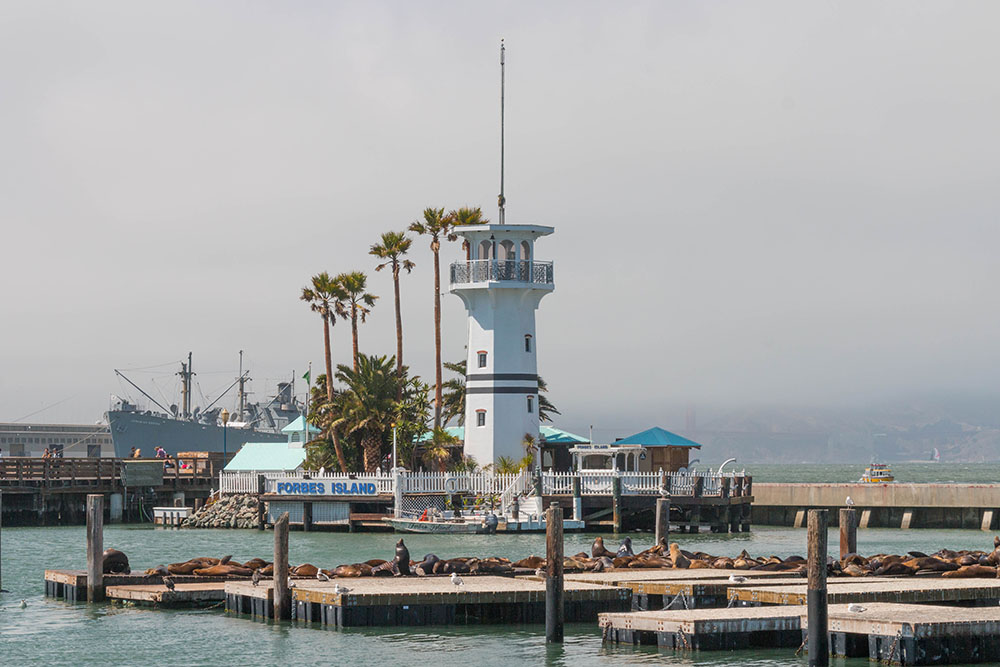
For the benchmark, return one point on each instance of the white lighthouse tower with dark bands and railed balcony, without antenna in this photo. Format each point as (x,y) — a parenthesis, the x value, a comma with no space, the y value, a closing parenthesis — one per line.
(501,284)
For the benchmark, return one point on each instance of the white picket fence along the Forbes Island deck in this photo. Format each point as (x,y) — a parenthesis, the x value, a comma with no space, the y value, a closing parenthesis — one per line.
(508,486)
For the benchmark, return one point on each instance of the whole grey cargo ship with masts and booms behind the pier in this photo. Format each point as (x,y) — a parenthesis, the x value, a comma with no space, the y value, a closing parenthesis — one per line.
(186,429)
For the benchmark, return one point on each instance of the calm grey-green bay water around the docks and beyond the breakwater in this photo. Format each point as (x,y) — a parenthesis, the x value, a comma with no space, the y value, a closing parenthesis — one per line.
(53,632)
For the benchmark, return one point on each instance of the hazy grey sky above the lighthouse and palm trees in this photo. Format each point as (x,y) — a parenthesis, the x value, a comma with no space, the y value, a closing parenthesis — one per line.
(771,203)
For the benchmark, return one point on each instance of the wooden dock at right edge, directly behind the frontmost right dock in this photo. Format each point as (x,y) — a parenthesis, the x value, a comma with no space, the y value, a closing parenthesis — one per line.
(865,590)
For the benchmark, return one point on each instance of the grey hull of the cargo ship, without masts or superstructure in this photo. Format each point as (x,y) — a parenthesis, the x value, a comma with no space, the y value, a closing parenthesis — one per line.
(146,432)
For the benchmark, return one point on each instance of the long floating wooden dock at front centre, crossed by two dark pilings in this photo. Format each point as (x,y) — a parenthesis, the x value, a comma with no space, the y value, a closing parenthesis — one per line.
(402,601)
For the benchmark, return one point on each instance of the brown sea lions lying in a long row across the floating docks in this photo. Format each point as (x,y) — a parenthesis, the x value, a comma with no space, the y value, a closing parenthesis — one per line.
(944,563)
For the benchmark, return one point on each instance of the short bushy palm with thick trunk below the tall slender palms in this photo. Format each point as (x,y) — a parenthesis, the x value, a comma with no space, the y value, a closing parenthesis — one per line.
(367,406)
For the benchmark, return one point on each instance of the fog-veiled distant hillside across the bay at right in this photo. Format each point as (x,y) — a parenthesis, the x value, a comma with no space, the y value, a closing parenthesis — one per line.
(826,436)
